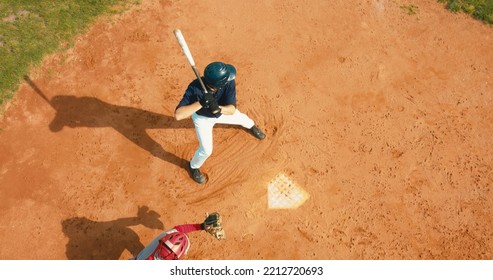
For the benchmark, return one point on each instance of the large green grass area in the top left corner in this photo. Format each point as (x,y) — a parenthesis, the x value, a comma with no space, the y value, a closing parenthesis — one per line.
(31,29)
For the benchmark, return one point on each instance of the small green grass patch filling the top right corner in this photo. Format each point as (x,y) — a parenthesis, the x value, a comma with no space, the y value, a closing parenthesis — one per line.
(479,9)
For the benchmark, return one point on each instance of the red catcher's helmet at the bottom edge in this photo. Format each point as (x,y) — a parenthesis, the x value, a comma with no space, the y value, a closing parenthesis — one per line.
(173,246)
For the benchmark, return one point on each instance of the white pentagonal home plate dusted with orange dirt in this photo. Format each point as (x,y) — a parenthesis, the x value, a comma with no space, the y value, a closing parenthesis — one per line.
(283,193)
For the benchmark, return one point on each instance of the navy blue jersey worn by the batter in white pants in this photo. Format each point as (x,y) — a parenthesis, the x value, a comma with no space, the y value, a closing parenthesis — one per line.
(224,96)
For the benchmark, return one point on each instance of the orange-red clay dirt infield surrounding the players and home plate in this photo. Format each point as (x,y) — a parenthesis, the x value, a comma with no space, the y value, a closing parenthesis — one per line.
(382,116)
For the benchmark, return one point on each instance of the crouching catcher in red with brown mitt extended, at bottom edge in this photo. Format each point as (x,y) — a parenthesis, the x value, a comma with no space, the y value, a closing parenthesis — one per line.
(174,243)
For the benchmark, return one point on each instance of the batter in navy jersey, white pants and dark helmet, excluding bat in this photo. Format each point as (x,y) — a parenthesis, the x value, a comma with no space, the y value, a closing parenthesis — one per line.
(218,105)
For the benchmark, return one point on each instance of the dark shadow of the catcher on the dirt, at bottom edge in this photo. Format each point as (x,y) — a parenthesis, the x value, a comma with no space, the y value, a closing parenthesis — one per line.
(92,240)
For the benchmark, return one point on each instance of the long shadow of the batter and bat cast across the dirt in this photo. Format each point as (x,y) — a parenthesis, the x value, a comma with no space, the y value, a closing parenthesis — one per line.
(73,111)
